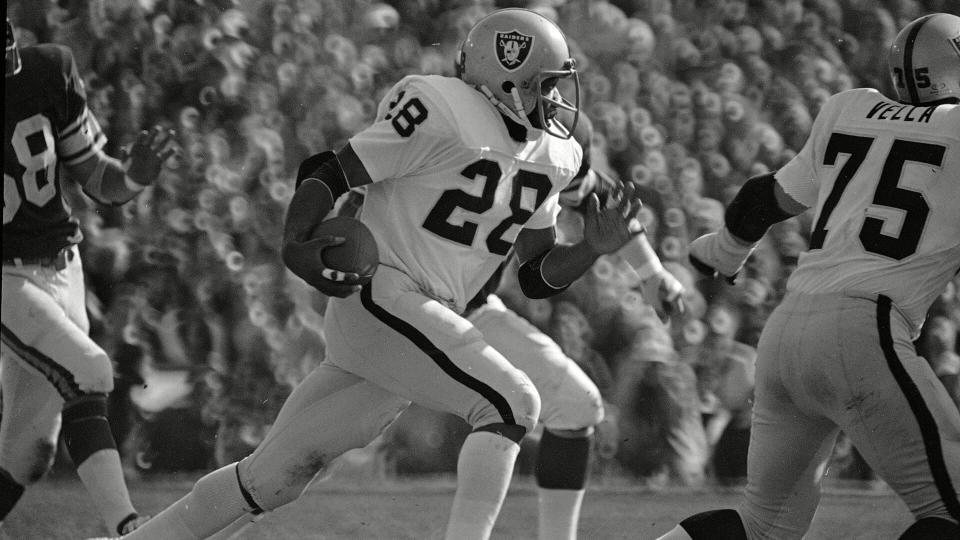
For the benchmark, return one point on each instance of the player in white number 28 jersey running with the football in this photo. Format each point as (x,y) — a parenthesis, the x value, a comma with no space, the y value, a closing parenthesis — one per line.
(458,171)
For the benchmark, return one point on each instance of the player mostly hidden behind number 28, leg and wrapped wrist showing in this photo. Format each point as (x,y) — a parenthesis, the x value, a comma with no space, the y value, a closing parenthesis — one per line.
(571,405)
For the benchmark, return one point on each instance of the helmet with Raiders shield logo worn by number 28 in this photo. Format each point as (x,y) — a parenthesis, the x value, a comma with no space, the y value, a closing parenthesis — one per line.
(516,57)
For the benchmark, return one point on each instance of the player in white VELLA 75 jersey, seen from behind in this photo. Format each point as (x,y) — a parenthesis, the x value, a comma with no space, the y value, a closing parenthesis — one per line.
(883,176)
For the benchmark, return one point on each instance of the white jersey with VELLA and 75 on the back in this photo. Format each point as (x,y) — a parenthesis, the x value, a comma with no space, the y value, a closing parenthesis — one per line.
(884,178)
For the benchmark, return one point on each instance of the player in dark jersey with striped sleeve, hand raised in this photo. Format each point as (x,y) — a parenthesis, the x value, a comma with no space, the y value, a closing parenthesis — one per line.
(54,376)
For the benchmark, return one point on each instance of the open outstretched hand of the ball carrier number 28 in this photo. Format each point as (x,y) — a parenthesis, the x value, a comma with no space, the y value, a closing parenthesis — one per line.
(608,229)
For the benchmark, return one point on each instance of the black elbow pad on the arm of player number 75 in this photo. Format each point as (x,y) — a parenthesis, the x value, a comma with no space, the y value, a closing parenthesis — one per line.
(754,209)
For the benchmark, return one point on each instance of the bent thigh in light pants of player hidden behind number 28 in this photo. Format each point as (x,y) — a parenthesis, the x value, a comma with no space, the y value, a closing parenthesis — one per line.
(570,400)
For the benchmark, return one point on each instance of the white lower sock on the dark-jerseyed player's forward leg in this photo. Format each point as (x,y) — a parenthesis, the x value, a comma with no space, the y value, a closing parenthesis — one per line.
(102,474)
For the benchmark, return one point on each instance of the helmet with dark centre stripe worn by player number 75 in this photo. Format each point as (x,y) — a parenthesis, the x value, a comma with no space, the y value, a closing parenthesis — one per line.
(925,59)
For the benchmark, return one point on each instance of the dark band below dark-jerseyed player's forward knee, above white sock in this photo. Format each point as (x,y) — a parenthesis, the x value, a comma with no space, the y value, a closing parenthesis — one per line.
(85,428)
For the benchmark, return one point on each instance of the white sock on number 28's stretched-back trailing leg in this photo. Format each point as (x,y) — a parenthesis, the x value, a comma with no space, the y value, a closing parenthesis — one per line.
(214,503)
